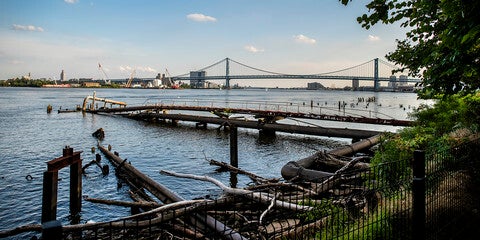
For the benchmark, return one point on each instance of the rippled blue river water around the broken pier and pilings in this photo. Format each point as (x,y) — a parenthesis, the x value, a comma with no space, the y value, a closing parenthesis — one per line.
(29,137)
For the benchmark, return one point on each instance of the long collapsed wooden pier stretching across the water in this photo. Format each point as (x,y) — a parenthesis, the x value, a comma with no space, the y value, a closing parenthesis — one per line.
(265,119)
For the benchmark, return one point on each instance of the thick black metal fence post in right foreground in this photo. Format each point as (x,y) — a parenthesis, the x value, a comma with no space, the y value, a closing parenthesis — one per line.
(418,191)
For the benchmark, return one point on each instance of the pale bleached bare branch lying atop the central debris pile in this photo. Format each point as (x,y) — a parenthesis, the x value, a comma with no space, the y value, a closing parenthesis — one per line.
(262,197)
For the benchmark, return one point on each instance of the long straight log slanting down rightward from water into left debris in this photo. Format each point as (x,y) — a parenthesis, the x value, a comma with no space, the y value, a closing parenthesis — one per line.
(166,196)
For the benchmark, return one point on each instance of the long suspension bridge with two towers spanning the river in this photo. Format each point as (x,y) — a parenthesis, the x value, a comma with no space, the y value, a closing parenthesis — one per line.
(375,70)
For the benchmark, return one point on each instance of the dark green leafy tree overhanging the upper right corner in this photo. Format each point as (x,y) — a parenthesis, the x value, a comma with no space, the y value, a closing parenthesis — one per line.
(442,46)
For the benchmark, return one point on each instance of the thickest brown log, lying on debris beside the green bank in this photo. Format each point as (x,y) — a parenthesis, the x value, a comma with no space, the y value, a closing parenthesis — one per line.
(300,169)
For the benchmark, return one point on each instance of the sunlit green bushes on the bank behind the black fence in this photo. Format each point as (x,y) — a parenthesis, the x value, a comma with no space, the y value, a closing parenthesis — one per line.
(437,129)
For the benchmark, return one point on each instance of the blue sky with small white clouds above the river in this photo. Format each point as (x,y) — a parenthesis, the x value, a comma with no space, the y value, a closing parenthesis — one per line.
(288,36)
